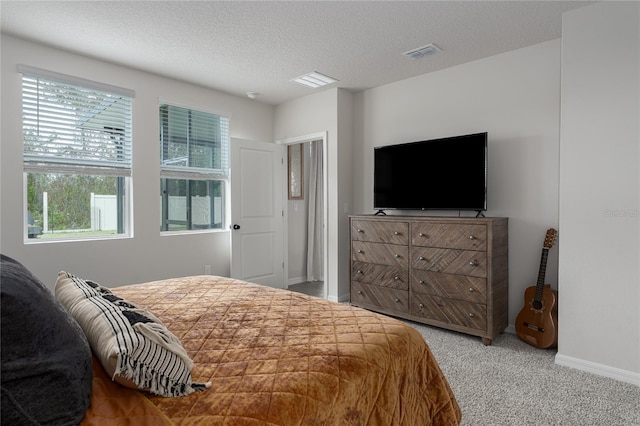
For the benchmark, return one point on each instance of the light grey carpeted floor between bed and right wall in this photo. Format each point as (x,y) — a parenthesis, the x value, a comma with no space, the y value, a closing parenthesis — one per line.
(512,383)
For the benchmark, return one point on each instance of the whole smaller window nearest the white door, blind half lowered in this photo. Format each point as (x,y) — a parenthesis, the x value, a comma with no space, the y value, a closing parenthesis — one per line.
(194,168)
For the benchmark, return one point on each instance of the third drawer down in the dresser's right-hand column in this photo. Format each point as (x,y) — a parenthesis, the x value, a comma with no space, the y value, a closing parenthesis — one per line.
(462,287)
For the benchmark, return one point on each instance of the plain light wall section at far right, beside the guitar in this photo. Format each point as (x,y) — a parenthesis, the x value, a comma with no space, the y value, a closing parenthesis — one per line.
(600,190)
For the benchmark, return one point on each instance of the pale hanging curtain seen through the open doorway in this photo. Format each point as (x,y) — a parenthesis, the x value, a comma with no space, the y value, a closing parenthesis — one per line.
(315,224)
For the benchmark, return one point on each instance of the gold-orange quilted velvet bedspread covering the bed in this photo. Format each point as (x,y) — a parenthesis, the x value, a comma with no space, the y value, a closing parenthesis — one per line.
(276,357)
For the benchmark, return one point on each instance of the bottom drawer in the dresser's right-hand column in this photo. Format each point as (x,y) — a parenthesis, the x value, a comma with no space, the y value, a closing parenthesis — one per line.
(458,312)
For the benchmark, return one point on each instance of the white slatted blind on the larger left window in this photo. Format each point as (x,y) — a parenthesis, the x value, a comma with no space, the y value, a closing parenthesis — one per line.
(72,125)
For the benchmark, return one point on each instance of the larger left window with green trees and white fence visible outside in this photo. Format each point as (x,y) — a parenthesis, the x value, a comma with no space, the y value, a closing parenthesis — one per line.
(77,156)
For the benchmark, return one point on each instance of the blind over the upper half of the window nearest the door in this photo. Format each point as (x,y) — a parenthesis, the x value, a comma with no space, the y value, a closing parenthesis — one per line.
(194,144)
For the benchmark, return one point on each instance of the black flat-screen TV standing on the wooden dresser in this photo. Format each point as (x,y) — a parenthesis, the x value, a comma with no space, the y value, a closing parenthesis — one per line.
(439,174)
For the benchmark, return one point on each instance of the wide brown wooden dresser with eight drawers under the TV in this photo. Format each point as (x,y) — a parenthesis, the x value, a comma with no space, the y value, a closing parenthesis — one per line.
(447,272)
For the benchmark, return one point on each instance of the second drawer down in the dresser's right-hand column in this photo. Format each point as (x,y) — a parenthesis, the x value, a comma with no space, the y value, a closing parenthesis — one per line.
(460,262)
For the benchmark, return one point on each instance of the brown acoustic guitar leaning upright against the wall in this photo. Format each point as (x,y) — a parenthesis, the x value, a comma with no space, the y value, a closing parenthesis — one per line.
(537,322)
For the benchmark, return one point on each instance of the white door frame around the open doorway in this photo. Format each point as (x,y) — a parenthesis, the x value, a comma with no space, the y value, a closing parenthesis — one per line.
(325,211)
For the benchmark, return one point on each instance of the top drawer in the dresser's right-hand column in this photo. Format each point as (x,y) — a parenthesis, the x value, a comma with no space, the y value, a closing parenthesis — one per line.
(449,235)
